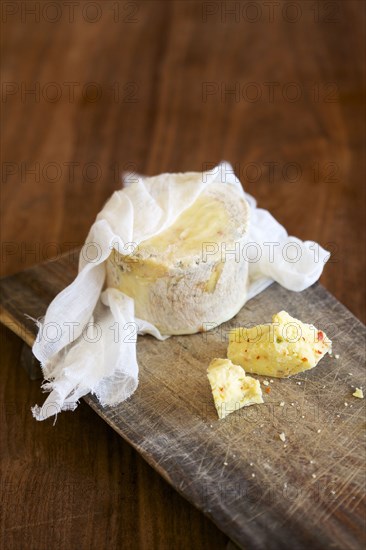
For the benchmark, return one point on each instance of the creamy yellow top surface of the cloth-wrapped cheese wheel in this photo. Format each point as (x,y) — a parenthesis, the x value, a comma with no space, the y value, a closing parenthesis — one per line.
(197,235)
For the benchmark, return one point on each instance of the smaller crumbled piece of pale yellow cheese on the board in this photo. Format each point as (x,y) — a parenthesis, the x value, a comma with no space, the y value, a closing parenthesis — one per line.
(231,388)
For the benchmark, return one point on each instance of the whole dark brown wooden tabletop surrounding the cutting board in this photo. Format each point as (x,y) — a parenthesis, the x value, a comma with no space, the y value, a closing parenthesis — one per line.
(88,92)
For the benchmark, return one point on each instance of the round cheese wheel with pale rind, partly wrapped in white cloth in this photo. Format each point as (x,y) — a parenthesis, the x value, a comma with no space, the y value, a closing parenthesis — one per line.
(192,275)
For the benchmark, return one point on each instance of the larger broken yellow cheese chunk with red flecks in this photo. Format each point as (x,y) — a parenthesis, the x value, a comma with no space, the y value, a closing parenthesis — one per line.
(283,348)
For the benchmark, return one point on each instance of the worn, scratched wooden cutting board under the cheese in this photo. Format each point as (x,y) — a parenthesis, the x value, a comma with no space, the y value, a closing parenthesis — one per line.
(306,492)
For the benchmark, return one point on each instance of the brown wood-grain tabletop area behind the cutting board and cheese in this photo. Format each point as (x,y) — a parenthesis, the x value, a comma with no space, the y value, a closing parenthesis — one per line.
(162,119)
